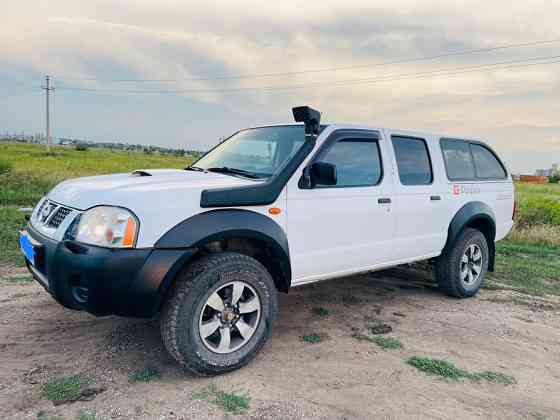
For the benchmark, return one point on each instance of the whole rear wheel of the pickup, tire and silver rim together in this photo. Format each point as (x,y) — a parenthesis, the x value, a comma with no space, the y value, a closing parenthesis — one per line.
(460,270)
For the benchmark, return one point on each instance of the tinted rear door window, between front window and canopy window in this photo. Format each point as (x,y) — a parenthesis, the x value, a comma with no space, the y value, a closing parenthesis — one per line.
(413,160)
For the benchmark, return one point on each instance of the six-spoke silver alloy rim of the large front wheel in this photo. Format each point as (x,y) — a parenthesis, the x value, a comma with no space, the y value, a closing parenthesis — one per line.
(230,317)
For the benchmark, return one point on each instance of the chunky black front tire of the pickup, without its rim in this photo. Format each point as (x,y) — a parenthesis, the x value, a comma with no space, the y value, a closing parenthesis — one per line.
(181,311)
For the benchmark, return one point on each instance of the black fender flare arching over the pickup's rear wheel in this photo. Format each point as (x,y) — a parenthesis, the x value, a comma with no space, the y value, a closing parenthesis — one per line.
(469,215)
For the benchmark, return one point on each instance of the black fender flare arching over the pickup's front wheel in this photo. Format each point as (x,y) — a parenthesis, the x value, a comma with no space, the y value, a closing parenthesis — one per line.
(235,230)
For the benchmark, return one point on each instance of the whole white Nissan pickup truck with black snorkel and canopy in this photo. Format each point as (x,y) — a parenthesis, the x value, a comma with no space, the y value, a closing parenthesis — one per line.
(270,208)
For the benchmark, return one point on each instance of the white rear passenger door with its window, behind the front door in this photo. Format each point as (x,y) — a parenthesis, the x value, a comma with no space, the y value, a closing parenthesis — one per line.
(419,201)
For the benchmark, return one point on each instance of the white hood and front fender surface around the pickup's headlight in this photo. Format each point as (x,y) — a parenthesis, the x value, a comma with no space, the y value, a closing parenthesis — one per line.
(160,198)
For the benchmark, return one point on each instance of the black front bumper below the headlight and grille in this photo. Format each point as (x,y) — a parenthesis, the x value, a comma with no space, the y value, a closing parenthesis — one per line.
(103,281)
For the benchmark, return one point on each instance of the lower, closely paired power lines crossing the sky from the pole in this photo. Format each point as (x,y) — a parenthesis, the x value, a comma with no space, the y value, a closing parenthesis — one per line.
(504,65)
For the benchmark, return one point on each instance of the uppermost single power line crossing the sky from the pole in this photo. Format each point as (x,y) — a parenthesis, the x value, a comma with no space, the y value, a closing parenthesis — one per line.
(324,70)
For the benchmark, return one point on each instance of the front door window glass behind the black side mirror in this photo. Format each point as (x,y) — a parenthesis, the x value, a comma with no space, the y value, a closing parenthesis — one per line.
(357,161)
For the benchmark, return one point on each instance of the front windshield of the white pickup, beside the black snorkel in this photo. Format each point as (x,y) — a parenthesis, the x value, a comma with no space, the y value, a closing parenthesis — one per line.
(259,152)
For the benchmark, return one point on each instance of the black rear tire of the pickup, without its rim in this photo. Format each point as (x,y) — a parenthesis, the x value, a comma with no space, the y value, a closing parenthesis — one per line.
(449,262)
